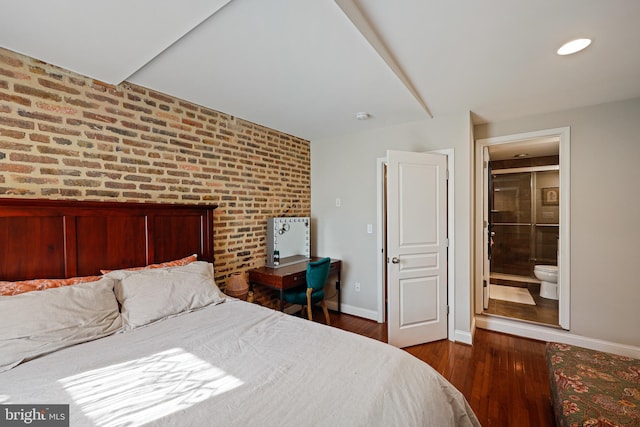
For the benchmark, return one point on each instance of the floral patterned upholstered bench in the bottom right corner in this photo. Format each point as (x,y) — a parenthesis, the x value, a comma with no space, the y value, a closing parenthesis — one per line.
(592,388)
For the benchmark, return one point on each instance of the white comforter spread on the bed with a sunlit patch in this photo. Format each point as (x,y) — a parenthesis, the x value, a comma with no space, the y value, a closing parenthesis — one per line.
(238,364)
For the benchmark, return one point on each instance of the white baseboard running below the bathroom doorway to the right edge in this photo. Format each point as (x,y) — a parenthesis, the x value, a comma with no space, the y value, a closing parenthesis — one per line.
(556,335)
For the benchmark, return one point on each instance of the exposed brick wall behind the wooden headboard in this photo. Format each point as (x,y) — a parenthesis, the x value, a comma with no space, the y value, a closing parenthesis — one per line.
(65,136)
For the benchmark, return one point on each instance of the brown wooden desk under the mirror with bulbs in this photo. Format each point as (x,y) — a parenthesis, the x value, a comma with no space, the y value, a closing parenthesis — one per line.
(289,276)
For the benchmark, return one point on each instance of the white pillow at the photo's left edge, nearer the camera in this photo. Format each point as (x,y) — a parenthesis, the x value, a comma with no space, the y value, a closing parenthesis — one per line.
(39,322)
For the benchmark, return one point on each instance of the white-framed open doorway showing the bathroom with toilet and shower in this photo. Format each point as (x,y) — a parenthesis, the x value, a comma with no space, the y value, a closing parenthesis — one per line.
(522,223)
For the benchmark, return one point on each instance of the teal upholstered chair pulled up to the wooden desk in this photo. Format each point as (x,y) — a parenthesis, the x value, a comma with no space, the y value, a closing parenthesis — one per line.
(317,275)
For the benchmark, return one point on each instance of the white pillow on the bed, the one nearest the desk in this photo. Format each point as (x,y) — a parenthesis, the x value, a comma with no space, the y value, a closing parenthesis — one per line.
(146,296)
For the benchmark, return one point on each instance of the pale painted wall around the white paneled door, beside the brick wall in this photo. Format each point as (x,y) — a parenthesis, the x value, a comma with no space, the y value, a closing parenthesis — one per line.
(345,167)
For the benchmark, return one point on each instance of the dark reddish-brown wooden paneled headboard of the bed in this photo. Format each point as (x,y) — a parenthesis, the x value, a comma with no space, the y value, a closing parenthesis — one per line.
(62,238)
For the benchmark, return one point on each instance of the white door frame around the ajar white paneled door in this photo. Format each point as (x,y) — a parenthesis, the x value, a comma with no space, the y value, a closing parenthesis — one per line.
(381,249)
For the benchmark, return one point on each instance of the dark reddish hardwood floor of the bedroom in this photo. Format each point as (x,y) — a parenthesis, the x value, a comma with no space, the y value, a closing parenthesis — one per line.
(503,377)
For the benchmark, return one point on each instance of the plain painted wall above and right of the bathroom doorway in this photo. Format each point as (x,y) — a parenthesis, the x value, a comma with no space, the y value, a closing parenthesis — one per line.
(605,215)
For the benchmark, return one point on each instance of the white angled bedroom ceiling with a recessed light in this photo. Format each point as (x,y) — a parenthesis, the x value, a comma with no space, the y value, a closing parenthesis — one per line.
(306,68)
